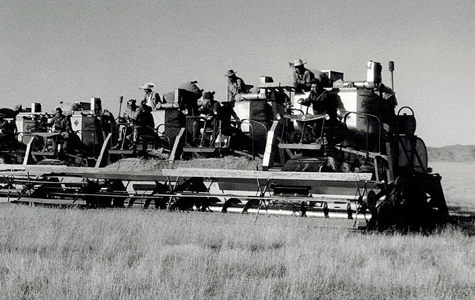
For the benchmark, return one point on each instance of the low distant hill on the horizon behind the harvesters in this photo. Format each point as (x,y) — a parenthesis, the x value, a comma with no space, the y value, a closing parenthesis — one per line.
(455,153)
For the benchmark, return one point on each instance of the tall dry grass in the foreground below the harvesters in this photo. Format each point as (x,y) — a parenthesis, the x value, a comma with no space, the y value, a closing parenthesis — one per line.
(133,254)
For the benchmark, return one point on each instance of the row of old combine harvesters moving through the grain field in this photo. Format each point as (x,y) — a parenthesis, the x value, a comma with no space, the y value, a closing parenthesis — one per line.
(363,163)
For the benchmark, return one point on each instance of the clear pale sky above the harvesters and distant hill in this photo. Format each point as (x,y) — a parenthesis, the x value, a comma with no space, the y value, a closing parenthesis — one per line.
(71,51)
